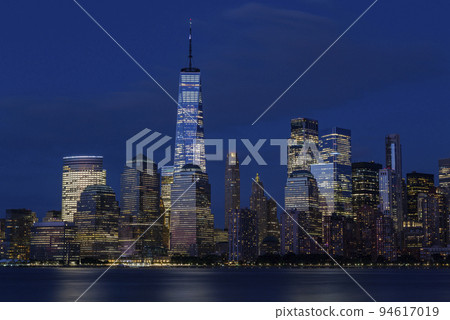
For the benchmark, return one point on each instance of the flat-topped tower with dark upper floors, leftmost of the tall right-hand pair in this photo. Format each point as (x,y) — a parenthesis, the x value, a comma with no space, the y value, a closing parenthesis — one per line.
(303,149)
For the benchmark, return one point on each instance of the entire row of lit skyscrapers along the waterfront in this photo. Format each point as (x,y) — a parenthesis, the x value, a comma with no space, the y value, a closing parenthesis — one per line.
(361,211)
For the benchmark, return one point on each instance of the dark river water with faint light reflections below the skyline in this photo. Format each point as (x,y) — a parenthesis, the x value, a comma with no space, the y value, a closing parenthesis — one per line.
(223,284)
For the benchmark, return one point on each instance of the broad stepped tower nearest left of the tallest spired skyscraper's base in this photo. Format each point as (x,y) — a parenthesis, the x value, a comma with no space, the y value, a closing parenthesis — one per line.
(140,208)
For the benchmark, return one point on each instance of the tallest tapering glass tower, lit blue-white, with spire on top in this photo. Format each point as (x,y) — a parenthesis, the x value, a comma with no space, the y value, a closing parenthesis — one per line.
(189,139)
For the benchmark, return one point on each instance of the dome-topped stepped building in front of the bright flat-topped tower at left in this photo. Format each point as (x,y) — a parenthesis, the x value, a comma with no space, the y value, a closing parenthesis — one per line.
(96,220)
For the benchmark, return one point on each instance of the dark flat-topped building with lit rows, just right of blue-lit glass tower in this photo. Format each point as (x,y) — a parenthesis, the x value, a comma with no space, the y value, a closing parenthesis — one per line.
(365,185)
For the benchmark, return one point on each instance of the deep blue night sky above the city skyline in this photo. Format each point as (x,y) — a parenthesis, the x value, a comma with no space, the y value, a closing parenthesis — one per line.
(67,89)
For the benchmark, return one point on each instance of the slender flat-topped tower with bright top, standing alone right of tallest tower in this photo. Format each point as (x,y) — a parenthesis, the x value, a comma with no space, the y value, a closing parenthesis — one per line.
(232,186)
